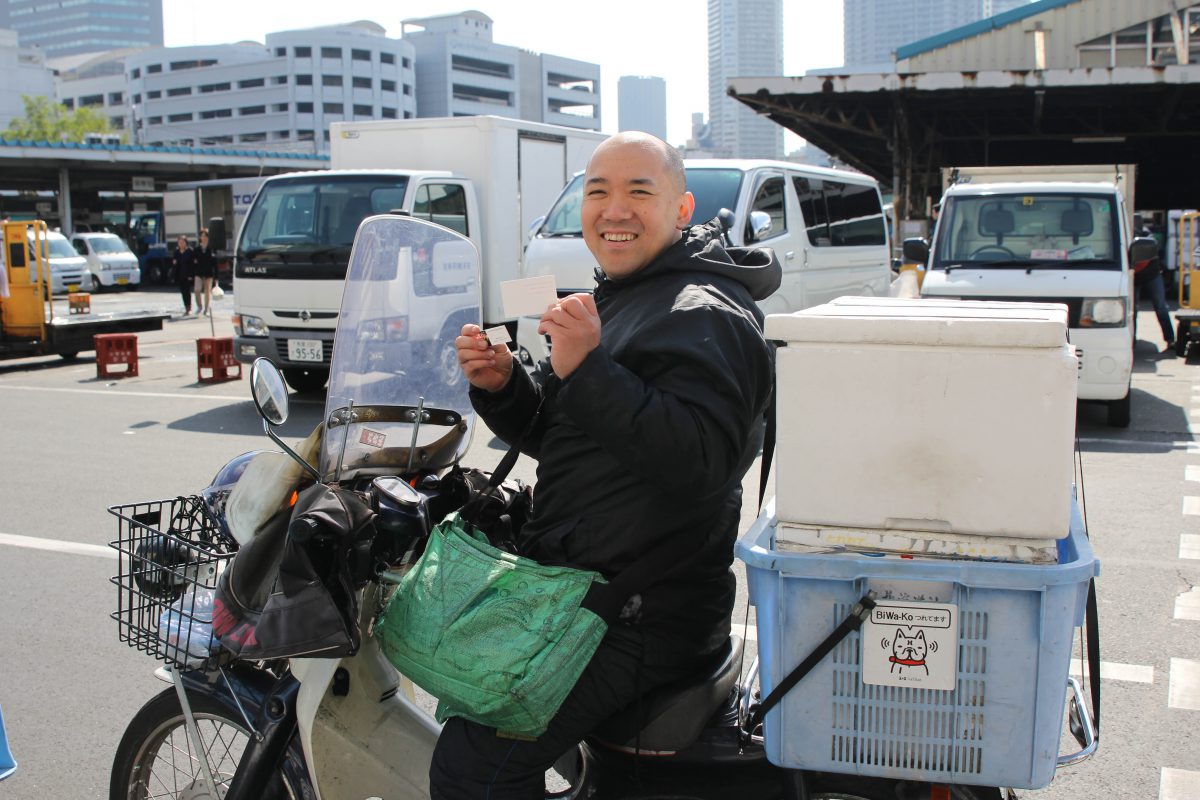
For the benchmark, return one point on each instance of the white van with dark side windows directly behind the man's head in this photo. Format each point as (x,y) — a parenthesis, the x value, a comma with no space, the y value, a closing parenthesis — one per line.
(826,226)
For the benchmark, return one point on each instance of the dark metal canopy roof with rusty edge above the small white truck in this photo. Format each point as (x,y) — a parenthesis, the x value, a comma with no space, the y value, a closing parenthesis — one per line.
(903,129)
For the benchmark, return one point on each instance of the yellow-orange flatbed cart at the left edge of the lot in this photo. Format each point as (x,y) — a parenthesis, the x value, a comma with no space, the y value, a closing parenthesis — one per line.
(32,322)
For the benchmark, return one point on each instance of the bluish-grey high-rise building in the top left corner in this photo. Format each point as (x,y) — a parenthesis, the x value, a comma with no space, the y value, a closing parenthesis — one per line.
(83,26)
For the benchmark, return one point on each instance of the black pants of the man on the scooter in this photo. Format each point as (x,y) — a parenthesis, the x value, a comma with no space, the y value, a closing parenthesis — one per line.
(471,762)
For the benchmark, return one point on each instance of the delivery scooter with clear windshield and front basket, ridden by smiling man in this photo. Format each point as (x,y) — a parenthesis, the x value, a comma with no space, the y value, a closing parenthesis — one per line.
(352,727)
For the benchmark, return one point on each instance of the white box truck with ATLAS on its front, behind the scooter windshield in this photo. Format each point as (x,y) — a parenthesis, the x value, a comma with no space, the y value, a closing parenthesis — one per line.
(485,177)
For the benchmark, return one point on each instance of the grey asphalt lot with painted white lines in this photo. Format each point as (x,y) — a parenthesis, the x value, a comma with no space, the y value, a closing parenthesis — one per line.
(74,444)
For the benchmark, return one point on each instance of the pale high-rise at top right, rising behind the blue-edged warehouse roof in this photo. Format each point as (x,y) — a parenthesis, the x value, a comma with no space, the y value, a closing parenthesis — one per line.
(874,29)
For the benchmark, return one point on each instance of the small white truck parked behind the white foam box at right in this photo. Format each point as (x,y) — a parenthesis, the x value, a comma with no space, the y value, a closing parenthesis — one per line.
(1048,234)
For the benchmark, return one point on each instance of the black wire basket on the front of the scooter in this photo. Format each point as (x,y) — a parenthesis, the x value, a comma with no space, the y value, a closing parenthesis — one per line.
(171,556)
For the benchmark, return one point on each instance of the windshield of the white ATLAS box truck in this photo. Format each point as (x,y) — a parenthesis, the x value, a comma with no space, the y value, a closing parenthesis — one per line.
(319,213)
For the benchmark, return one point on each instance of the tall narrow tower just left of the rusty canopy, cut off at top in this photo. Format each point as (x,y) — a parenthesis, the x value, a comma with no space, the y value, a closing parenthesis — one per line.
(746,38)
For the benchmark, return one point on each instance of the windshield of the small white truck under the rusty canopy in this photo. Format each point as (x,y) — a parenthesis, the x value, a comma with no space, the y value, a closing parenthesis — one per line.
(1045,231)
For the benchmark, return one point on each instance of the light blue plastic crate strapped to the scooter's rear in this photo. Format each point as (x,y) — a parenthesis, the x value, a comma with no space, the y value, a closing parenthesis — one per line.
(1000,726)
